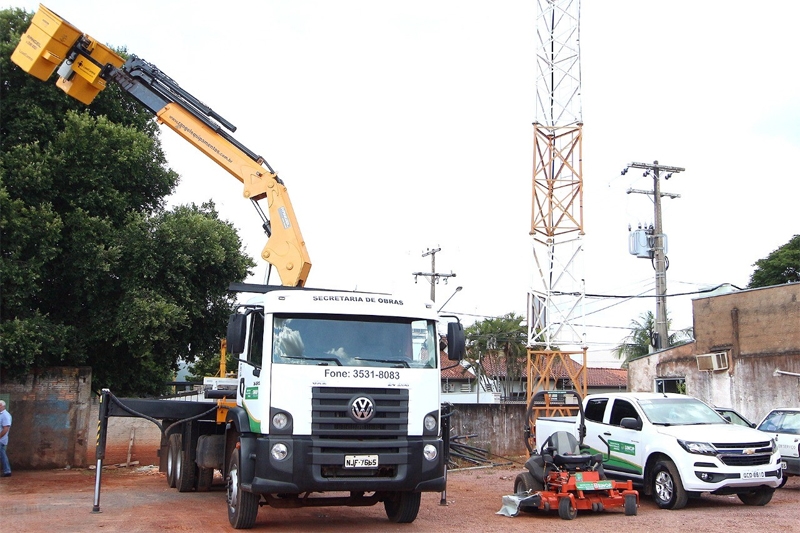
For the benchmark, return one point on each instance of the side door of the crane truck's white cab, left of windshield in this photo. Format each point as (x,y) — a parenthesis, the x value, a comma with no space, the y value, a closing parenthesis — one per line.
(250,372)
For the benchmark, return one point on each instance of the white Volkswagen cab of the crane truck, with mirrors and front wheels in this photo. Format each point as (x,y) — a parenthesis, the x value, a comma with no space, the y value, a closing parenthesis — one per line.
(338,392)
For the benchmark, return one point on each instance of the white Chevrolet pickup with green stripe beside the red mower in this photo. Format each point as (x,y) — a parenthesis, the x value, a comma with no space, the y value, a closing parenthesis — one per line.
(673,446)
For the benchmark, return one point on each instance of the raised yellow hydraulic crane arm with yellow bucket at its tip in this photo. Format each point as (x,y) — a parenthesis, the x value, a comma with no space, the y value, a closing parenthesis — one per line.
(87,65)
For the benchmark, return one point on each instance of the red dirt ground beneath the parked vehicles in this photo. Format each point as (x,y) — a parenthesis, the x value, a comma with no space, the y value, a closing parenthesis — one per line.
(138,500)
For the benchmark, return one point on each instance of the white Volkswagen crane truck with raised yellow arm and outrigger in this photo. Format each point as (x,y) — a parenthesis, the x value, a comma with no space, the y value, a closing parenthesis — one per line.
(337,396)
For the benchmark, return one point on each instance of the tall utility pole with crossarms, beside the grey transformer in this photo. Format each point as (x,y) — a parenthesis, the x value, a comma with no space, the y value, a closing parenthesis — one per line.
(659,254)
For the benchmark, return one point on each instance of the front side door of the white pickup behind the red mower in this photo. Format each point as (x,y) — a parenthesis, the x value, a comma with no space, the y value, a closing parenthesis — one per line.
(624,449)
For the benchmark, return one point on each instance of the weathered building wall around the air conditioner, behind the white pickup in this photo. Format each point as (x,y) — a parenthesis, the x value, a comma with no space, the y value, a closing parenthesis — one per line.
(758,330)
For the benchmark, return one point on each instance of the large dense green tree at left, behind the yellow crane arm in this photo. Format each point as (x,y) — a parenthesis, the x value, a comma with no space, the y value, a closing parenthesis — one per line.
(93,270)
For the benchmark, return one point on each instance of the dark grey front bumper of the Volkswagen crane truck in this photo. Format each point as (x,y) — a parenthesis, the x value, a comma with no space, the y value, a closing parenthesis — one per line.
(318,465)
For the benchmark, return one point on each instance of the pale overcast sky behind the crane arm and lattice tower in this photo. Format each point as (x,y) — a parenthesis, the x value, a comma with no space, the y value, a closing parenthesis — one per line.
(404,126)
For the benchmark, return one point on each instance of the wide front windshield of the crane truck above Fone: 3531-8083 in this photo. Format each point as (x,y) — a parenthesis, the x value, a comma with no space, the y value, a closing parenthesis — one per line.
(354,341)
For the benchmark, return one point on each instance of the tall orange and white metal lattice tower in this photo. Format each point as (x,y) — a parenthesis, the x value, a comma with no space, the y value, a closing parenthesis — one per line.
(555,300)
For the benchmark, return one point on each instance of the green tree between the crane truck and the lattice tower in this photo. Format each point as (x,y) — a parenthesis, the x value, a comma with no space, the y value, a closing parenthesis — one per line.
(500,343)
